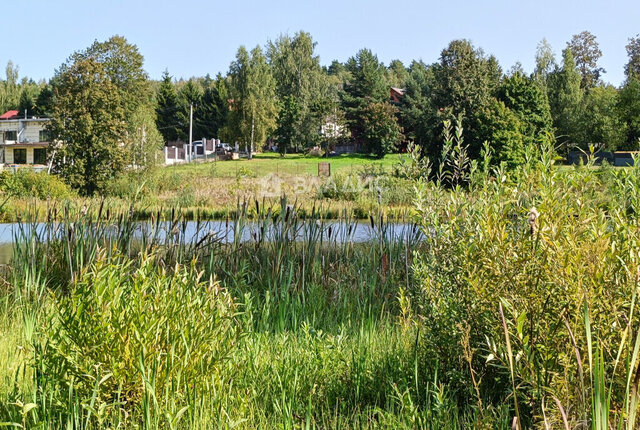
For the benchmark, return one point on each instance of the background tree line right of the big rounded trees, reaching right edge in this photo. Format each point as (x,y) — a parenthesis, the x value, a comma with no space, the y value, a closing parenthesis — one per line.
(280,93)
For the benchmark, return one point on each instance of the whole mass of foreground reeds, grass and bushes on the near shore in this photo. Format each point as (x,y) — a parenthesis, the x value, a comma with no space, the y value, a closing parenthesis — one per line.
(515,307)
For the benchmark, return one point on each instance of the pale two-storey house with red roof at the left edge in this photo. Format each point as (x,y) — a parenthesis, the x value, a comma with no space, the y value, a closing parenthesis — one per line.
(23,140)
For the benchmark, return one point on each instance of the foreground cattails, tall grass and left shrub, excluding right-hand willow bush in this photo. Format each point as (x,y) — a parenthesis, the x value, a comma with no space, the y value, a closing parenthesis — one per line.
(119,334)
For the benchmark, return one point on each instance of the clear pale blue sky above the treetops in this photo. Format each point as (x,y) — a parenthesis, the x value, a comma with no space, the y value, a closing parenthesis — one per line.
(196,37)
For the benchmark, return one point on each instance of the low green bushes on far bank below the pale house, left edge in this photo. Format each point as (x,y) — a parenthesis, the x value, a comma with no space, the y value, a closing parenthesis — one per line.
(27,183)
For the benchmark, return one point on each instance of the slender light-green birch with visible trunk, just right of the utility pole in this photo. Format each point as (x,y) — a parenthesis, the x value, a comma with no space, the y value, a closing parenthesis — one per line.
(252,89)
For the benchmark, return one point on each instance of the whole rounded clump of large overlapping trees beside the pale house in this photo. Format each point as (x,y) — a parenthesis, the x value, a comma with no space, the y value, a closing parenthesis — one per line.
(102,115)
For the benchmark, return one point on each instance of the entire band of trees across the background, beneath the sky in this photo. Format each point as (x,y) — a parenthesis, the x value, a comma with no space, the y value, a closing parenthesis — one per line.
(109,115)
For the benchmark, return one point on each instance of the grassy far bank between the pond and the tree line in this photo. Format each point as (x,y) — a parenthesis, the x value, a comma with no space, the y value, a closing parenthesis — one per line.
(211,190)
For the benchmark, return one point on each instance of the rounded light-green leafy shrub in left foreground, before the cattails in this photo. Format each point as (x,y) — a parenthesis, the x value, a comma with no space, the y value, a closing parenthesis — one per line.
(124,335)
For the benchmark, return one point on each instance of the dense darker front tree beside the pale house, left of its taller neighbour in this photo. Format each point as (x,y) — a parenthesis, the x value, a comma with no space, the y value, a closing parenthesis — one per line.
(88,123)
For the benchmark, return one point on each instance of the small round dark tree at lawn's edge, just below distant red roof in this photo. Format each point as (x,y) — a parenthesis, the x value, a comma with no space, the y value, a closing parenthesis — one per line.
(381,132)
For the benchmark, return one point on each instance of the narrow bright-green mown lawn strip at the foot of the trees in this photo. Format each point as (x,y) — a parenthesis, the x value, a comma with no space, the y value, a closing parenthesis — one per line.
(293,164)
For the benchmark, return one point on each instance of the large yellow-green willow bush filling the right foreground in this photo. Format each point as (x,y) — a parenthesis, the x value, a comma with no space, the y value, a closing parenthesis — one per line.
(528,277)
